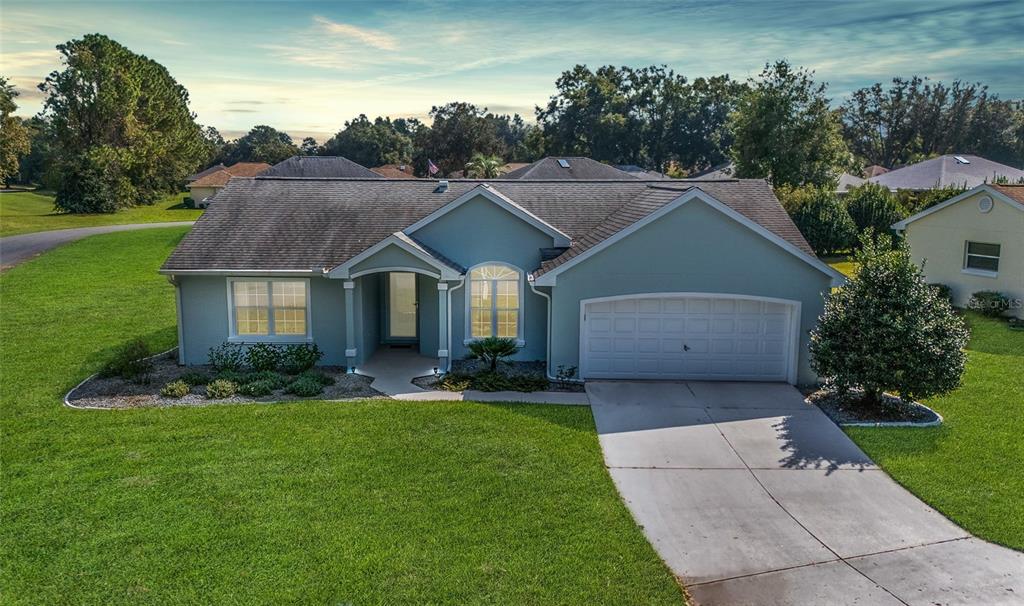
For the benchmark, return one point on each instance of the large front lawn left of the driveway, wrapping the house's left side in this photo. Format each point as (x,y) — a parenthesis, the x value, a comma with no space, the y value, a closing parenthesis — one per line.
(373,502)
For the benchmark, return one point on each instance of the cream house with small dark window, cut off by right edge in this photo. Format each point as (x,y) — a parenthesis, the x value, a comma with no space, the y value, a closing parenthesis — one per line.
(973,242)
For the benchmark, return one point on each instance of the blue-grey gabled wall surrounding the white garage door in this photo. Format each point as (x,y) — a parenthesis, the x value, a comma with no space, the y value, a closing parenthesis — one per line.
(694,249)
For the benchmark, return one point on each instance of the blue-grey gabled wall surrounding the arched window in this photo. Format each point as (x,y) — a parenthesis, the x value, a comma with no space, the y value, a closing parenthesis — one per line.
(481,232)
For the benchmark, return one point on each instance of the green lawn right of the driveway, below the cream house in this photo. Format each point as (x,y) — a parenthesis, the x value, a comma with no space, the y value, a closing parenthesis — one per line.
(971,468)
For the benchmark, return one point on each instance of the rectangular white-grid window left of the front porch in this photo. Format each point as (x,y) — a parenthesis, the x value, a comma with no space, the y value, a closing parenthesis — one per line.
(270,308)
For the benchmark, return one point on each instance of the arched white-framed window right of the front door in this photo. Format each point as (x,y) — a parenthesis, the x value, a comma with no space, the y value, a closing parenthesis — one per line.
(495,301)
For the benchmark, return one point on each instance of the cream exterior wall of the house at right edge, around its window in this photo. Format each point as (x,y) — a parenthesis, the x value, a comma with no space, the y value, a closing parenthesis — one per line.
(940,241)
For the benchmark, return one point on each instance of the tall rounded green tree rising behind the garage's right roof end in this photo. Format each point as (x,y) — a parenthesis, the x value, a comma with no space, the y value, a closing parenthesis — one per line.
(786,133)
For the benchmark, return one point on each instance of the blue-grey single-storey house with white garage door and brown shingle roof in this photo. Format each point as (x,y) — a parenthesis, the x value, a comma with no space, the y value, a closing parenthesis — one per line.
(666,280)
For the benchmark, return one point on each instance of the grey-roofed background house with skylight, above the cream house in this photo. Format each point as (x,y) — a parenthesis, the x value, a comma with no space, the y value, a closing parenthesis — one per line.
(949,171)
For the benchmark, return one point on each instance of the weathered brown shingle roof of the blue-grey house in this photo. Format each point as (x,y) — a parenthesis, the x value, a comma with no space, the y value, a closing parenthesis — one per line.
(283,224)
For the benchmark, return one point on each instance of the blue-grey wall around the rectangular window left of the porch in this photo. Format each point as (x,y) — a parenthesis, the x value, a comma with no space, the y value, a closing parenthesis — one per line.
(205,317)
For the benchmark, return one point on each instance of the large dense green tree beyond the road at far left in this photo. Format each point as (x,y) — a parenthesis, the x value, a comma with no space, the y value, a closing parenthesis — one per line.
(123,134)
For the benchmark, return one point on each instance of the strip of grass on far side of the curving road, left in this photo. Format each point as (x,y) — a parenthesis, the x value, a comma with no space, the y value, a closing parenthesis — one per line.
(25,212)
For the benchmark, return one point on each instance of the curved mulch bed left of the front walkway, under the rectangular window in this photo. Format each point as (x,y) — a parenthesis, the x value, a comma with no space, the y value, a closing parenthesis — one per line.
(104,393)
